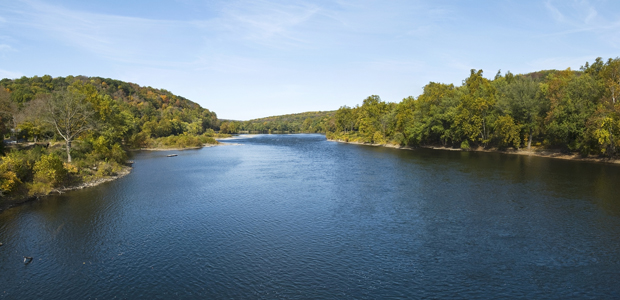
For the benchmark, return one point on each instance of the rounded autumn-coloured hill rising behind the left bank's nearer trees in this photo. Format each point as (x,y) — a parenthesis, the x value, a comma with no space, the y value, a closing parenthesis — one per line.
(157,112)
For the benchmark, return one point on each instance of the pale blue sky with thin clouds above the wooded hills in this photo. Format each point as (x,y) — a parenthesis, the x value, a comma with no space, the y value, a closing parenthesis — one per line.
(249,59)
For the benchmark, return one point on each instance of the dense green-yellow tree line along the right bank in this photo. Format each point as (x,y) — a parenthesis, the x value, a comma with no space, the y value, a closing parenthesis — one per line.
(568,111)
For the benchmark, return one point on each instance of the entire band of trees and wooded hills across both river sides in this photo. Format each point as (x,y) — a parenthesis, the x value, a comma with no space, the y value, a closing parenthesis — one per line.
(66,130)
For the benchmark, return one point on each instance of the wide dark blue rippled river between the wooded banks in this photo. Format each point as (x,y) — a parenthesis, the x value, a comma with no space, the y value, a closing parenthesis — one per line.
(298,217)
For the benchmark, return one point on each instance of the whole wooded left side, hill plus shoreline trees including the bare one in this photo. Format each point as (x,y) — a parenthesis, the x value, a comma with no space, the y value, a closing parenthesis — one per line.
(66,130)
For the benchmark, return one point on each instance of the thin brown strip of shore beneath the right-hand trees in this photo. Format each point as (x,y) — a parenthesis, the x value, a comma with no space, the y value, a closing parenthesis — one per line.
(534,152)
